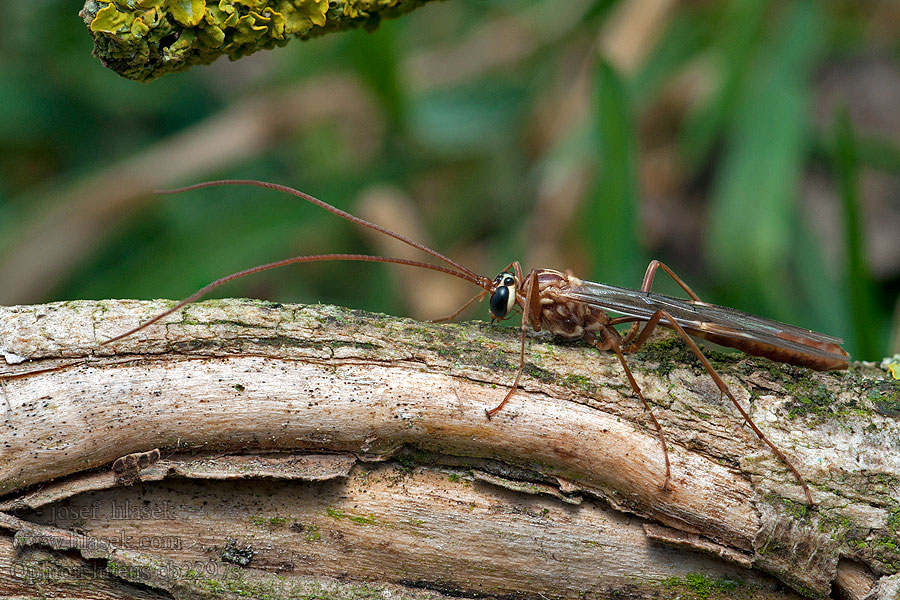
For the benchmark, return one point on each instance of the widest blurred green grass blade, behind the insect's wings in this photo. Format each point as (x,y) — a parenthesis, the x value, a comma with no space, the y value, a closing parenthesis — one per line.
(752,213)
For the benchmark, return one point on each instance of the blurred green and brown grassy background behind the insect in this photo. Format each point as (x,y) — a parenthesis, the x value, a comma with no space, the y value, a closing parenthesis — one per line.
(753,146)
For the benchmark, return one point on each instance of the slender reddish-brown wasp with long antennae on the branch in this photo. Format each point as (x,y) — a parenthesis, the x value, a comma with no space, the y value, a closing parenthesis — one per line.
(574,309)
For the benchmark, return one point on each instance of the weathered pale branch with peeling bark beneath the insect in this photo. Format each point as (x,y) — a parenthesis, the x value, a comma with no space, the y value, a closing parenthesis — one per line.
(312,449)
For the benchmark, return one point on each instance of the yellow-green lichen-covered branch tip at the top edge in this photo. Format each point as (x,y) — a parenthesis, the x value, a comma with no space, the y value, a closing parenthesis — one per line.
(144,39)
